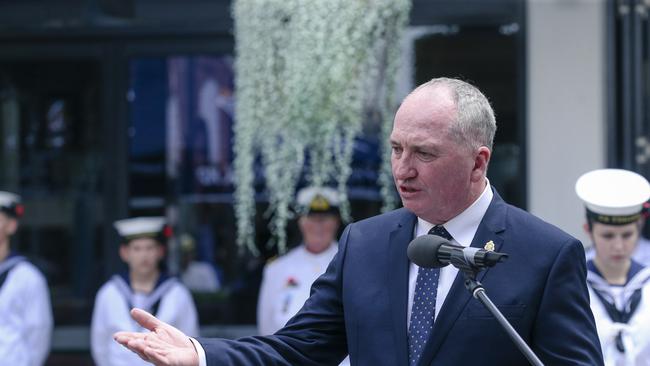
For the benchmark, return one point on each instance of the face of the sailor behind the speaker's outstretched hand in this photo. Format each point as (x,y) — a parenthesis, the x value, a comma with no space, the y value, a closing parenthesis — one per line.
(142,255)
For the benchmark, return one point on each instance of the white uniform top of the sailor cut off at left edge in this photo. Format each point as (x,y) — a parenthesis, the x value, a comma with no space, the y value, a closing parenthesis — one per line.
(25,315)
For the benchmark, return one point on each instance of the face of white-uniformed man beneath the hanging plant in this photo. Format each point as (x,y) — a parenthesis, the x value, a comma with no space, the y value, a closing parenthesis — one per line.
(318,231)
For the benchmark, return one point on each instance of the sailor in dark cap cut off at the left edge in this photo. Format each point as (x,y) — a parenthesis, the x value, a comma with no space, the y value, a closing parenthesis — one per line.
(25,311)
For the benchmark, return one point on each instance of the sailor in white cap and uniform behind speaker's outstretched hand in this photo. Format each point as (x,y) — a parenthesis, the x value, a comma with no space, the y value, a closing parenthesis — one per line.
(144,286)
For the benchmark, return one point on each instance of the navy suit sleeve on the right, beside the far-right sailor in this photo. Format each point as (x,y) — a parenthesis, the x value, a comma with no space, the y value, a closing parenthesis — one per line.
(565,331)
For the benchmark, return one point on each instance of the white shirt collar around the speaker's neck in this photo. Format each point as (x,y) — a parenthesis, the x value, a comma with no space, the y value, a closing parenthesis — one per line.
(463,227)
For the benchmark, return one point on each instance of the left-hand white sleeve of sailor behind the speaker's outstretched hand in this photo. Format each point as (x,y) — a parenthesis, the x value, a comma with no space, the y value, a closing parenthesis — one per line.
(99,333)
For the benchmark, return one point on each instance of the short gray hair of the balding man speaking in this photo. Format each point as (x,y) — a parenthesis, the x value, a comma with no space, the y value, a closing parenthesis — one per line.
(475,124)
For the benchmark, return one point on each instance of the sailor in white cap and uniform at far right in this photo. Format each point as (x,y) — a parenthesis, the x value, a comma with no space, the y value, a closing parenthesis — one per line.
(619,287)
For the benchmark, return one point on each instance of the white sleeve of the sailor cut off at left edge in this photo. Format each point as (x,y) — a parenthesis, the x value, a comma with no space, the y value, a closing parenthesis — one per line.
(38,325)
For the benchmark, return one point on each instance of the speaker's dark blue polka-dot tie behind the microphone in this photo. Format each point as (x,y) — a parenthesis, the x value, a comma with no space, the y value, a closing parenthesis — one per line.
(424,305)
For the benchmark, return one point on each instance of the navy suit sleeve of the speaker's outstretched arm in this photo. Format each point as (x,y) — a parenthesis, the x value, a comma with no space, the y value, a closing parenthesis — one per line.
(315,336)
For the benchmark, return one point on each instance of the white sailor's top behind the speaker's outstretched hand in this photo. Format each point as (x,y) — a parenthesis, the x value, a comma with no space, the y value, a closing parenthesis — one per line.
(112,314)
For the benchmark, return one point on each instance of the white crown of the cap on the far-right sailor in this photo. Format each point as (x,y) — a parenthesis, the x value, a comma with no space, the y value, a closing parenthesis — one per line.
(613,192)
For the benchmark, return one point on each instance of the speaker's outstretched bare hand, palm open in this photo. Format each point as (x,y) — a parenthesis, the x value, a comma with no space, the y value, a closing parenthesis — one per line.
(163,345)
